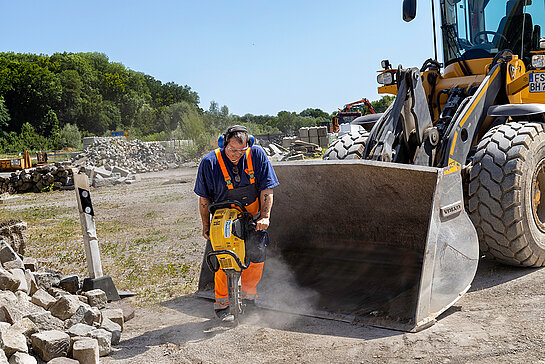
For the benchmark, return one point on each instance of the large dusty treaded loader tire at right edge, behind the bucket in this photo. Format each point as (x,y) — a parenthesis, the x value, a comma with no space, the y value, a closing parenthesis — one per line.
(507,193)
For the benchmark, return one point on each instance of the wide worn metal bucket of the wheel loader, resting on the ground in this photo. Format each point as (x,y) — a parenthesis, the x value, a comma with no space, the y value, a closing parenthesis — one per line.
(385,244)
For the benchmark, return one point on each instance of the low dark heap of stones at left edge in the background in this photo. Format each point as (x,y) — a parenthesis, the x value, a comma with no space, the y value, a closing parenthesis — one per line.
(50,176)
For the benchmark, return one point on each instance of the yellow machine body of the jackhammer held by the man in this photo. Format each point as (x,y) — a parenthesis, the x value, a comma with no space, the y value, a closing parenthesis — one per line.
(223,238)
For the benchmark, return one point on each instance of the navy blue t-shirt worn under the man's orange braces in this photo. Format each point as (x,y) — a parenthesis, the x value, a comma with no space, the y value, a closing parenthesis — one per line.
(211,184)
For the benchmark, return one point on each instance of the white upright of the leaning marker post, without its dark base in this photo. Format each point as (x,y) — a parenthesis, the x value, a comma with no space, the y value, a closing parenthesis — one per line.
(86,214)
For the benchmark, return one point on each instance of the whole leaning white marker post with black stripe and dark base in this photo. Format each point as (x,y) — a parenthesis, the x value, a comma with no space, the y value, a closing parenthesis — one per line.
(90,241)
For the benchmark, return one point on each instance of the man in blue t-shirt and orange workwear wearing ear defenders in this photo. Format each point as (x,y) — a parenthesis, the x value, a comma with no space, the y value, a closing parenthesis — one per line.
(237,171)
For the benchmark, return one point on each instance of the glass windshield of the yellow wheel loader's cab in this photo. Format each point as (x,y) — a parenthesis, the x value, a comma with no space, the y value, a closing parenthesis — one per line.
(481,28)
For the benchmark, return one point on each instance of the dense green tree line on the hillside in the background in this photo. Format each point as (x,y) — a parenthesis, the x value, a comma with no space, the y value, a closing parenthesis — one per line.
(52,101)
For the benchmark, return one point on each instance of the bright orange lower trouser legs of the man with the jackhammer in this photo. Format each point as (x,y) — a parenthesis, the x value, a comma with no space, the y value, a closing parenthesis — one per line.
(249,279)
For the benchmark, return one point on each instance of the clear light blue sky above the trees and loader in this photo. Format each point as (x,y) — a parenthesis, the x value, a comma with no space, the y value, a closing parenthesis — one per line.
(256,57)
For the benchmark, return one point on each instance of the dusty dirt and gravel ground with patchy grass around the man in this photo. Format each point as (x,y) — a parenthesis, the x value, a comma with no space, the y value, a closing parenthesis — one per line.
(151,244)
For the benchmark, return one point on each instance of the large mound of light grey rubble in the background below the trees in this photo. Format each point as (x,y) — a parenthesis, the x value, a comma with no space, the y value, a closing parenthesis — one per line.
(134,156)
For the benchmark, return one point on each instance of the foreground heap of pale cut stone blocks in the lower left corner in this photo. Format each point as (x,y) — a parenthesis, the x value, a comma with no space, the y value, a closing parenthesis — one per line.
(45,315)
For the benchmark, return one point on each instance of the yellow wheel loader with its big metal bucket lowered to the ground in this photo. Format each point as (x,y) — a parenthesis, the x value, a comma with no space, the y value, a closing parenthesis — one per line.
(389,229)
